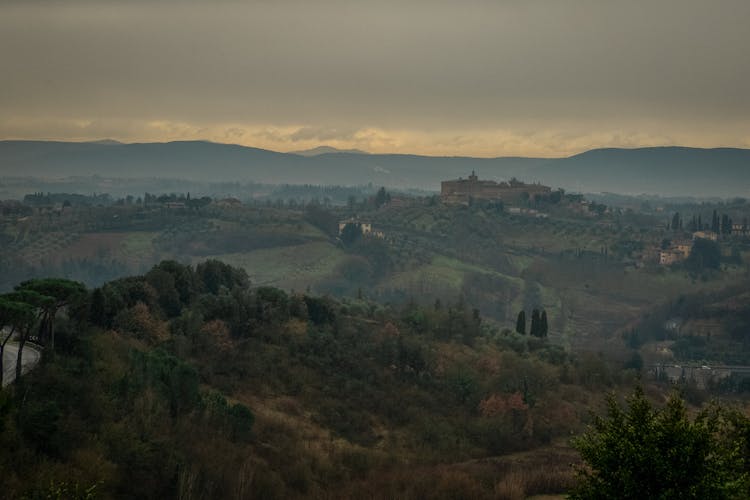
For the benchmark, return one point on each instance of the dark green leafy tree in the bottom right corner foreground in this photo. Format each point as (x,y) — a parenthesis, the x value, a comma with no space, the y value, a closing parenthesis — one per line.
(643,452)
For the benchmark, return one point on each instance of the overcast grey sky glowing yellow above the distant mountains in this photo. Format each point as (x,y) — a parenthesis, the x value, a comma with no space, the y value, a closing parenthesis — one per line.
(473,77)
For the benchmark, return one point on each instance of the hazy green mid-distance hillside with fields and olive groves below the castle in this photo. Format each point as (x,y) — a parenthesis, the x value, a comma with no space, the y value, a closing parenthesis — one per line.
(587,272)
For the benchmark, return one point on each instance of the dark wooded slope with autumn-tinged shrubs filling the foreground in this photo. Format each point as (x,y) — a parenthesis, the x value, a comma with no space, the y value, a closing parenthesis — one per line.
(190,382)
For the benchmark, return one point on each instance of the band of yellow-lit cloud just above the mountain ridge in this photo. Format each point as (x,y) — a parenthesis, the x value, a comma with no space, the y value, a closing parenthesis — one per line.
(551,142)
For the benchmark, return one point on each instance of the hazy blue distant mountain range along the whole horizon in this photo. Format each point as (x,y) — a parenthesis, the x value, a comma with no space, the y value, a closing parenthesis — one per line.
(667,171)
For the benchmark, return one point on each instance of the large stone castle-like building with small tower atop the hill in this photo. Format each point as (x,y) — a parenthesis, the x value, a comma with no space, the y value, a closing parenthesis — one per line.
(462,191)
